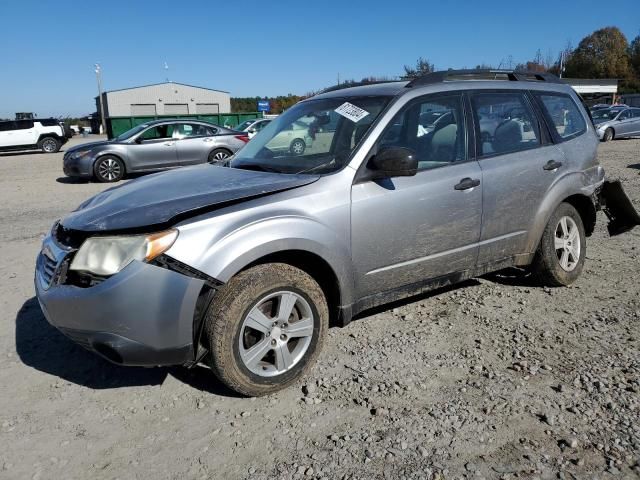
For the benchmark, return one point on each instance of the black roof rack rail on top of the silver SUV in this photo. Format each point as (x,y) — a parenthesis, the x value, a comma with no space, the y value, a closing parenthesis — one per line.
(509,75)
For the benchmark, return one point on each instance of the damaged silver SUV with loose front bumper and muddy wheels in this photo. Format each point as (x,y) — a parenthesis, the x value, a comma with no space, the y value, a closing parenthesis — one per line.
(399,192)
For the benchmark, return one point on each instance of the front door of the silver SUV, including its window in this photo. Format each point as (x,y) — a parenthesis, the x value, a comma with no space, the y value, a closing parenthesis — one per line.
(408,230)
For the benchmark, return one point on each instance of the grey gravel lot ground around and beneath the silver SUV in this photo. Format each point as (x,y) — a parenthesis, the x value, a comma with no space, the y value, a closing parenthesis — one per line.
(496,378)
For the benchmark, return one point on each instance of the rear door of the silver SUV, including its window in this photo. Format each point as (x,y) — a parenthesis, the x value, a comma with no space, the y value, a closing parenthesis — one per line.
(518,164)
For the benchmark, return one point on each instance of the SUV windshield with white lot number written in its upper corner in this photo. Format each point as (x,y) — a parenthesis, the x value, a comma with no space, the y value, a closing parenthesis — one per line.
(316,136)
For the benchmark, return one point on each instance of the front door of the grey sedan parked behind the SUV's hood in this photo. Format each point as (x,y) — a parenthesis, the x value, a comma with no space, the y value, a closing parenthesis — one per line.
(153,149)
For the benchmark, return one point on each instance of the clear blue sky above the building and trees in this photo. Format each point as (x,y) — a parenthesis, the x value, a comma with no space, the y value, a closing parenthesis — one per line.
(268,48)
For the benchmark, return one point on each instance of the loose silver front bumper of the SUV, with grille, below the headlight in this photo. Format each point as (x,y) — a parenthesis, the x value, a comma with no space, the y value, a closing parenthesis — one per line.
(144,315)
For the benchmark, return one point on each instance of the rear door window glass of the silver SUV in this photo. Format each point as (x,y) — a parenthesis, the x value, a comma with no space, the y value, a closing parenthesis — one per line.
(504,123)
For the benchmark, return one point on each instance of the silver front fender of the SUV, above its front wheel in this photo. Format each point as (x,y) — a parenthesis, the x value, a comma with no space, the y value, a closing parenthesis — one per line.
(227,253)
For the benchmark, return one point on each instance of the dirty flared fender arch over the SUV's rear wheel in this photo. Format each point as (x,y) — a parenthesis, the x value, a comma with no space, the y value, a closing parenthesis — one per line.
(584,183)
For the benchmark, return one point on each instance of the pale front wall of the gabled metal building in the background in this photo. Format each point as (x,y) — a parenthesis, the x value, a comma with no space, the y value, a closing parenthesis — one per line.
(120,102)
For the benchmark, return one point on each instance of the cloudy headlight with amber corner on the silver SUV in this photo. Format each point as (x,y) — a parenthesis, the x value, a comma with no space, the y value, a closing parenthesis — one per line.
(108,255)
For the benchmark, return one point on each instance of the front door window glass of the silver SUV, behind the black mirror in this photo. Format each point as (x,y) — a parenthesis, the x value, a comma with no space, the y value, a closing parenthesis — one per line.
(433,127)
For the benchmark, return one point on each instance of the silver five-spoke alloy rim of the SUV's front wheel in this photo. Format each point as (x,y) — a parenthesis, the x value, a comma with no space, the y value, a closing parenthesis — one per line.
(276,334)
